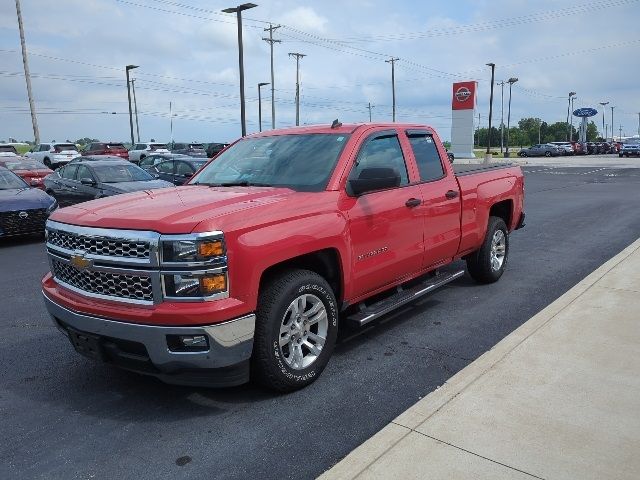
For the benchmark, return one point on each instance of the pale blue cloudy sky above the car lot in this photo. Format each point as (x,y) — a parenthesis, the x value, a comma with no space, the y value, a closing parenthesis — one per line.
(187,52)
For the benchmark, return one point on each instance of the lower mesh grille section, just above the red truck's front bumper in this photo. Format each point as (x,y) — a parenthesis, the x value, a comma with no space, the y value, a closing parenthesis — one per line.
(134,287)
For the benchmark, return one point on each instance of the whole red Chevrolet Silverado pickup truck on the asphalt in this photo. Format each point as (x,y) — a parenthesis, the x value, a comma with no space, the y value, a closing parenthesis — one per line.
(247,271)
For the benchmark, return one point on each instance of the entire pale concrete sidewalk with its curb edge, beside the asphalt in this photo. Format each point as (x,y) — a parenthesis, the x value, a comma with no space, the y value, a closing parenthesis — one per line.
(559,398)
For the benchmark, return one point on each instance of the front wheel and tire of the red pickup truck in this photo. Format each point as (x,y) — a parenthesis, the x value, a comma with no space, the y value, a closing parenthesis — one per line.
(282,359)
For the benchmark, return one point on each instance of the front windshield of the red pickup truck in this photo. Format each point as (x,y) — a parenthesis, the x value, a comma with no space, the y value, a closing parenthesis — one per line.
(300,162)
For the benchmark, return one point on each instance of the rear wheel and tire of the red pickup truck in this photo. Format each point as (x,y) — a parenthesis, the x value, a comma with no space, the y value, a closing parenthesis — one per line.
(486,265)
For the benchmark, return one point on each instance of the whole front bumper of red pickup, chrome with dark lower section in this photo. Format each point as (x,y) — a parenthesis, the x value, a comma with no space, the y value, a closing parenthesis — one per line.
(144,348)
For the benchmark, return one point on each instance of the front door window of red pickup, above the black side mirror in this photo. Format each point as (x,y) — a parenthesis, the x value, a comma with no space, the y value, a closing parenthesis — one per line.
(382,151)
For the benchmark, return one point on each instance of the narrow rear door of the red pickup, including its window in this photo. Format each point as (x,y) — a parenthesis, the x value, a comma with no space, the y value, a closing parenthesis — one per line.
(441,200)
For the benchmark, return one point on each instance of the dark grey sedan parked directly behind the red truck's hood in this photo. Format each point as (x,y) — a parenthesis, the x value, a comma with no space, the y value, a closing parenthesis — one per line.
(88,180)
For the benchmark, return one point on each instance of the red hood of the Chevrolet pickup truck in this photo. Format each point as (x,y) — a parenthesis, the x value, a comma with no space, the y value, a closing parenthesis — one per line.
(173,210)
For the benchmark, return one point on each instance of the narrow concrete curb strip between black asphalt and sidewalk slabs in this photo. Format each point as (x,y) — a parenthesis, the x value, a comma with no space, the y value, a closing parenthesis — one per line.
(371,450)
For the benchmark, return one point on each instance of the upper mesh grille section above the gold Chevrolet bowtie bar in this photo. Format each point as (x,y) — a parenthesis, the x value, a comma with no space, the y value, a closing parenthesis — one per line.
(108,247)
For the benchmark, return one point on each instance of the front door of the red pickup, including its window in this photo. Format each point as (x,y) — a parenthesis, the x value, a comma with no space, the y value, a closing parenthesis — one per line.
(386,228)
